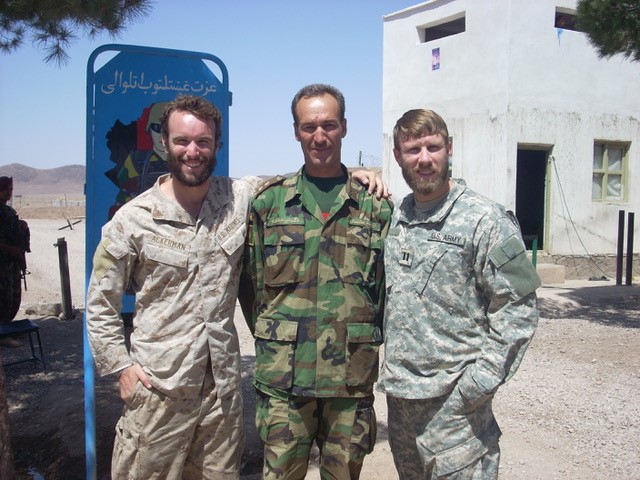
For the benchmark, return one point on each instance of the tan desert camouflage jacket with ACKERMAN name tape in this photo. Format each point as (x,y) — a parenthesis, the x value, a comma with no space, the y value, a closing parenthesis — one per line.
(185,275)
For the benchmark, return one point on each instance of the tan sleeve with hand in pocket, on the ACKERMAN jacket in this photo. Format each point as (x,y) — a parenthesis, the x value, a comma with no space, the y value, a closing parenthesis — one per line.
(105,327)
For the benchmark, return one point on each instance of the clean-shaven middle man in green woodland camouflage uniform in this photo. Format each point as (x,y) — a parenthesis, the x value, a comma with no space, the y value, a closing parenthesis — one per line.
(314,299)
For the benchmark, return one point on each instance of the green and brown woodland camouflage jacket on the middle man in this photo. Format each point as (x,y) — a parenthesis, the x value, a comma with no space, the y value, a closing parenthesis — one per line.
(314,293)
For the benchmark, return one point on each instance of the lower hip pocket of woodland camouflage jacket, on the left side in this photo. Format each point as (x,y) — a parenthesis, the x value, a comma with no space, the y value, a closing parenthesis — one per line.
(275,347)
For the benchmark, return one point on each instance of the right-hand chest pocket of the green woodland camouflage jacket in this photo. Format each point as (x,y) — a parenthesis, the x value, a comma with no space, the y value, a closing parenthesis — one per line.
(364,246)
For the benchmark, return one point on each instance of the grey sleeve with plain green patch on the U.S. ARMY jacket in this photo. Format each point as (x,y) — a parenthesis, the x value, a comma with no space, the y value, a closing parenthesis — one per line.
(507,282)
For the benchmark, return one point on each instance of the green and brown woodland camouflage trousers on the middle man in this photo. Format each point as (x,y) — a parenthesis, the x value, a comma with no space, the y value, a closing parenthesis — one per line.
(343,428)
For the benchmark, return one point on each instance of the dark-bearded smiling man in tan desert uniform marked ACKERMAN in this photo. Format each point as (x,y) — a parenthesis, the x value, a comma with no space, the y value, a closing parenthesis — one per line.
(179,246)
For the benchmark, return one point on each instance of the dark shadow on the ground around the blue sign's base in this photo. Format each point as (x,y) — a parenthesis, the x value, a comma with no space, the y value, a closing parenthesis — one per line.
(47,416)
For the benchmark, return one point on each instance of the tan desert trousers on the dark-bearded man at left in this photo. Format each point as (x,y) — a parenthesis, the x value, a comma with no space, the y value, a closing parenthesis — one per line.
(161,437)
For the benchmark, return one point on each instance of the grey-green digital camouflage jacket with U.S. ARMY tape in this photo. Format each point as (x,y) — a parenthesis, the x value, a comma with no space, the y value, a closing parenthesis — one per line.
(461,303)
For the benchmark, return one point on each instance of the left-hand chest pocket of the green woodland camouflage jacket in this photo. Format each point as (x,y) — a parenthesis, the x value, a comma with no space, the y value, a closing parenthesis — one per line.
(284,252)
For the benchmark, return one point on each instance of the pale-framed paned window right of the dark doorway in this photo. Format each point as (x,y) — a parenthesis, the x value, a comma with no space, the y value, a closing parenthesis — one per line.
(609,171)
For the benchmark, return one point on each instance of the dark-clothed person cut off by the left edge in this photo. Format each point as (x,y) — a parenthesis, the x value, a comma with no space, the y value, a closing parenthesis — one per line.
(13,246)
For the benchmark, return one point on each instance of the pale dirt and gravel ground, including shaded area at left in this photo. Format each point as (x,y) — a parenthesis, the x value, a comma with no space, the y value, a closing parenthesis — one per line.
(571,412)
